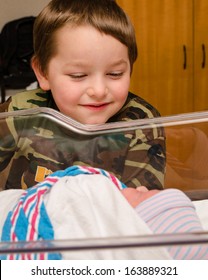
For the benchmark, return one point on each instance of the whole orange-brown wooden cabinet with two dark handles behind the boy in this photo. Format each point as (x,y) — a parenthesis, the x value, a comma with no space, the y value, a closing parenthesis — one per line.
(171,69)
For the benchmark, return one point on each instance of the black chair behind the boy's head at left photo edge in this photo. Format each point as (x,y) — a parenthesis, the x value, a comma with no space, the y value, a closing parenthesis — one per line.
(16,50)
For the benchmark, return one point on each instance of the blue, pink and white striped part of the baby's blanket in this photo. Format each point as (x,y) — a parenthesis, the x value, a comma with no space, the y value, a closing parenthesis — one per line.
(29,219)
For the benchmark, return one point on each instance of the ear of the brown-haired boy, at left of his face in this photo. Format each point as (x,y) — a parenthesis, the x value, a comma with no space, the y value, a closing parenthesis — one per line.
(41,77)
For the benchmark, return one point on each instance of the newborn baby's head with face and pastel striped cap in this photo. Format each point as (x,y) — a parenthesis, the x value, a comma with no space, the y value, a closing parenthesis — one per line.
(168,211)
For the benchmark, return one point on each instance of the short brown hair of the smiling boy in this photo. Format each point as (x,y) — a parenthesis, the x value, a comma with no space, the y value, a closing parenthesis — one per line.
(104,15)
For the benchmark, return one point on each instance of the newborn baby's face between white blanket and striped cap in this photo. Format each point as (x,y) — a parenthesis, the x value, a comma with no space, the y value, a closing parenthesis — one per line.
(136,196)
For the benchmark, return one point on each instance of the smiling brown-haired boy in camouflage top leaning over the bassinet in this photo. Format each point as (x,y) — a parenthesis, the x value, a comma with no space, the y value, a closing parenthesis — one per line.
(84,53)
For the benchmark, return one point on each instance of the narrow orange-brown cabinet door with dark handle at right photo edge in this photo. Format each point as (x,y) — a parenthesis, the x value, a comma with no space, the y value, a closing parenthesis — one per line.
(201,55)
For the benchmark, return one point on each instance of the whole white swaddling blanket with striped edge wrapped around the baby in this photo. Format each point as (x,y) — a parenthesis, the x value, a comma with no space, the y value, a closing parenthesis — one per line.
(79,202)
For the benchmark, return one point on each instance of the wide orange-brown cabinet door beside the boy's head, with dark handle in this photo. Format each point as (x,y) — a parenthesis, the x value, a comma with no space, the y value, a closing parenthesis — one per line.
(163,73)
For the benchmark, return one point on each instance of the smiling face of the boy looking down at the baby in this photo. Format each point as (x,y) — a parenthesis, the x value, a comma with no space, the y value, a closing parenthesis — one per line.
(89,75)
